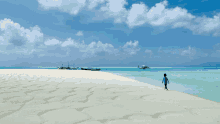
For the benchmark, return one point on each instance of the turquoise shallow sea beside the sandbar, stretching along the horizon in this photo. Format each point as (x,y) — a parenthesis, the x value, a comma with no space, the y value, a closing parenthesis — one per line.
(203,82)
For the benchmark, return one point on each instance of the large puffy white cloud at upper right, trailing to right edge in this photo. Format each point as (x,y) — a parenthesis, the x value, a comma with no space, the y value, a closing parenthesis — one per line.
(160,15)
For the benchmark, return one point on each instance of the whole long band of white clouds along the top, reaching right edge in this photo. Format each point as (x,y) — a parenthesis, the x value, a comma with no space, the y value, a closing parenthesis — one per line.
(139,14)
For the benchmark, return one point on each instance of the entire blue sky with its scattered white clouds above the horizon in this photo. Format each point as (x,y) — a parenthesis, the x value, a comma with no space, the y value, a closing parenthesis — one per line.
(109,32)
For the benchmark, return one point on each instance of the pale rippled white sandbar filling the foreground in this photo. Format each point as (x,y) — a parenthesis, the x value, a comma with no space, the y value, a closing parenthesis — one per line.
(37,96)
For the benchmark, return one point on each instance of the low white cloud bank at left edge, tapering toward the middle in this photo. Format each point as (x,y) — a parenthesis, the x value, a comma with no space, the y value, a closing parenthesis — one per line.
(17,40)
